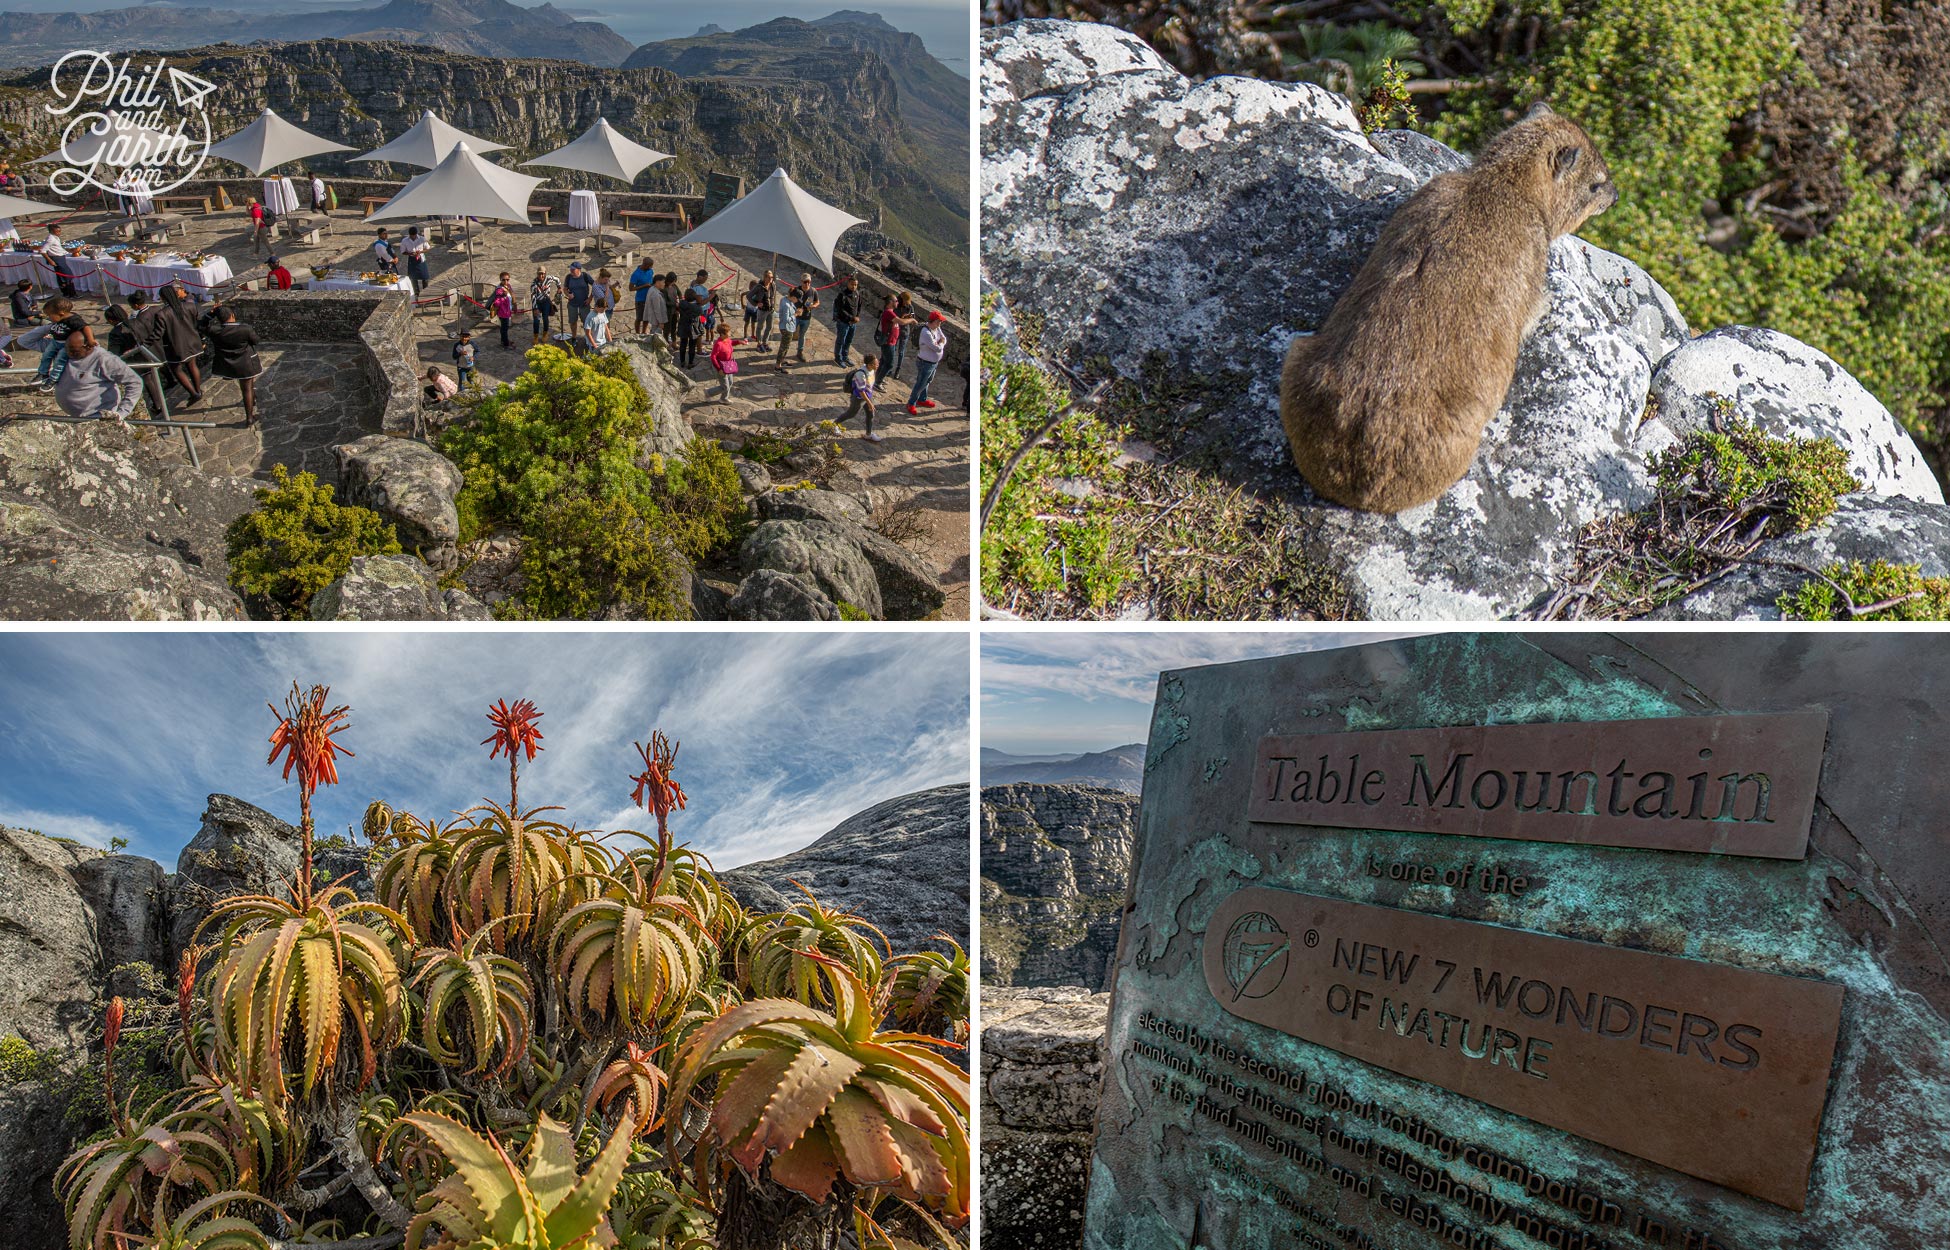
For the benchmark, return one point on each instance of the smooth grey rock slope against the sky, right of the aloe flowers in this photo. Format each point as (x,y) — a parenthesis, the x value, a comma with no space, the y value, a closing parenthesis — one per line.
(902,865)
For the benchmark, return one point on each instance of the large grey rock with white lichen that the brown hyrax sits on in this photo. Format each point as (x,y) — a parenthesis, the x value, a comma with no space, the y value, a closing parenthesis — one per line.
(1190,229)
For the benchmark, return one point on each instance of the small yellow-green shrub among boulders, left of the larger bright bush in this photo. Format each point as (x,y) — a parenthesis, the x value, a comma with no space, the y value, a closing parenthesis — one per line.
(297,541)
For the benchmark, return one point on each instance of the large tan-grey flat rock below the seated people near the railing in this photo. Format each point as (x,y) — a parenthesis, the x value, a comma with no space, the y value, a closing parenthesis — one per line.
(98,526)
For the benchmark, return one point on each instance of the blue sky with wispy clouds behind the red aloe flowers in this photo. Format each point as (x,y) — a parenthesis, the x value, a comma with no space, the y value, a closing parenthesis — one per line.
(783,736)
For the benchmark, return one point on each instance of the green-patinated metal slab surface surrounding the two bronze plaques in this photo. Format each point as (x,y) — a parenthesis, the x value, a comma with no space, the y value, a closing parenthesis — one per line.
(1887,1128)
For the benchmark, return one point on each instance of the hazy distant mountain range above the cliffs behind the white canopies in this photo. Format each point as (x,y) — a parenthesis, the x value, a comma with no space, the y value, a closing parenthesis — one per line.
(485,28)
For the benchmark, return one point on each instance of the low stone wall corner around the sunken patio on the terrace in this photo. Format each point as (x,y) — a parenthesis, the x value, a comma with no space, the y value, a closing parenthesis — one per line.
(381,321)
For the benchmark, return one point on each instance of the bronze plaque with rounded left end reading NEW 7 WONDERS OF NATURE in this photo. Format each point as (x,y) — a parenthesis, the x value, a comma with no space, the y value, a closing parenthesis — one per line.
(1709,1070)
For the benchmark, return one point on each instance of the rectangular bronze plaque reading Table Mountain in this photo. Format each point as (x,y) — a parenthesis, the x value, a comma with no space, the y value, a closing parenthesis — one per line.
(1715,785)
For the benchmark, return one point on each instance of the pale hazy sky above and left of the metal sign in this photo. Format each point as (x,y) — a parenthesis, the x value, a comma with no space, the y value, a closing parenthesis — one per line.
(1052,693)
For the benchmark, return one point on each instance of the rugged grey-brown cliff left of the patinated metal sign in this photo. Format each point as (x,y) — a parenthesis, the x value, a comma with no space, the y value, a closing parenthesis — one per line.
(1056,865)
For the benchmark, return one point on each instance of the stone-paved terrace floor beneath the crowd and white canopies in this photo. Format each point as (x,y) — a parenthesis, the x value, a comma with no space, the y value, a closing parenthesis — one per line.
(923,461)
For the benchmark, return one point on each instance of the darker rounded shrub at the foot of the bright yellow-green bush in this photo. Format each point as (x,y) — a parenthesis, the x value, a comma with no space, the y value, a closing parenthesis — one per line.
(588,557)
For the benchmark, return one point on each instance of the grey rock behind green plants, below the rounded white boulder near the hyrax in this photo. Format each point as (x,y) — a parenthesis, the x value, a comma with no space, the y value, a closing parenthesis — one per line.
(1863,529)
